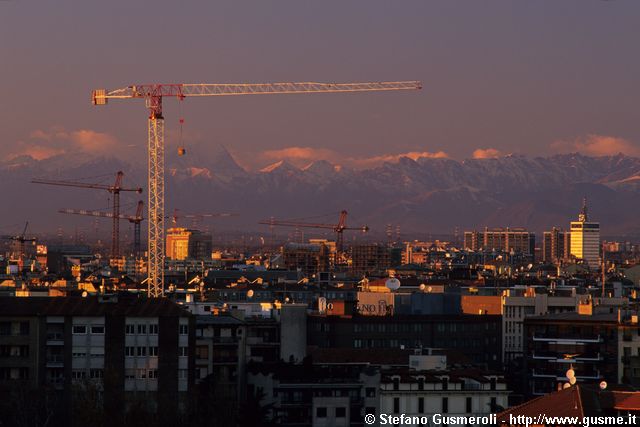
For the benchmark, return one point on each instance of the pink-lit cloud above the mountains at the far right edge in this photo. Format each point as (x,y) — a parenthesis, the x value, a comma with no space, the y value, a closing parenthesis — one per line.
(597,145)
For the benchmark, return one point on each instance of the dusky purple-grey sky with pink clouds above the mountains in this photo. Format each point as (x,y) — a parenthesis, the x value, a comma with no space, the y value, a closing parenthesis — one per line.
(531,77)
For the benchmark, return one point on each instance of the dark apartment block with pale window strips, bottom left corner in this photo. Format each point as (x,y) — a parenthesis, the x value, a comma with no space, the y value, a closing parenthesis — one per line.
(103,360)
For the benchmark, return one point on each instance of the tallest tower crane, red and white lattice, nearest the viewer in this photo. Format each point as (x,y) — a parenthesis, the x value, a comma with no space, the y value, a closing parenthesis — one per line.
(153,95)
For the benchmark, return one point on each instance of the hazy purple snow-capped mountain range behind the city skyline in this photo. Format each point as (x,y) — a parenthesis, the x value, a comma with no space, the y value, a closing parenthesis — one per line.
(427,195)
